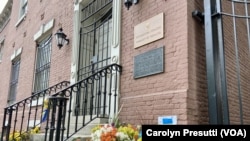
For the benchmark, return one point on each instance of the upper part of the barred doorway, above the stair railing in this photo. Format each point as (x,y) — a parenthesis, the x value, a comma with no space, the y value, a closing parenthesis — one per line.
(95,38)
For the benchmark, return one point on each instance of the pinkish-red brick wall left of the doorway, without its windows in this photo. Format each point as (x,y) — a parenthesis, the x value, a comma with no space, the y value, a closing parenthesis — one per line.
(39,13)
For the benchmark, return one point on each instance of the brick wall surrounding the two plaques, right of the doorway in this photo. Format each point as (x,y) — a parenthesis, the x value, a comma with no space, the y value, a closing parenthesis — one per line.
(176,91)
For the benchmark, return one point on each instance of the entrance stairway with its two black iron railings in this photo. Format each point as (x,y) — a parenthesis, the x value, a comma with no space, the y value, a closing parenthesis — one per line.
(65,111)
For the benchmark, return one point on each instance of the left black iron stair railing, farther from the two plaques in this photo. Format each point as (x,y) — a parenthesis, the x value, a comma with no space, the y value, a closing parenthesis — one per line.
(25,114)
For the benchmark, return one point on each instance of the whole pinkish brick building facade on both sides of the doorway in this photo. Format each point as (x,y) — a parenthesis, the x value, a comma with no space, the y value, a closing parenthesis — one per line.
(180,90)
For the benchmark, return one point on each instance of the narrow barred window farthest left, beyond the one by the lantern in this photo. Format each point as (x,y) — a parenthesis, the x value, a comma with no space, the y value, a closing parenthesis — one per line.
(14,81)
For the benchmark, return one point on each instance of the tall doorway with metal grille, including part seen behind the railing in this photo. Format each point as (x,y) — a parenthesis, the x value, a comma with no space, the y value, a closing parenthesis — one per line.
(94,51)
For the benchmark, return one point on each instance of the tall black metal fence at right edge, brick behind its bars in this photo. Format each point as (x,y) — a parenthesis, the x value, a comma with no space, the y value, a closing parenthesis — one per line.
(227,55)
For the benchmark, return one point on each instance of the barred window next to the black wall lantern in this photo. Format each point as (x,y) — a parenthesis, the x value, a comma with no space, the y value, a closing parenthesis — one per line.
(43,58)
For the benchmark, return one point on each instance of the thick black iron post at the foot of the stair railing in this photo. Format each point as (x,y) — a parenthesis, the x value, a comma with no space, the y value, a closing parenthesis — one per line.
(60,104)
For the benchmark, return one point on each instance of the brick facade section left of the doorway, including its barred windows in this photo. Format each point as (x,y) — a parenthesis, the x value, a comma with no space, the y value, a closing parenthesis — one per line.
(29,24)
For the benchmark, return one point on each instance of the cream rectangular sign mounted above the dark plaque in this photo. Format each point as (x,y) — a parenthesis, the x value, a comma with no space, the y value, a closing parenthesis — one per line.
(149,30)
